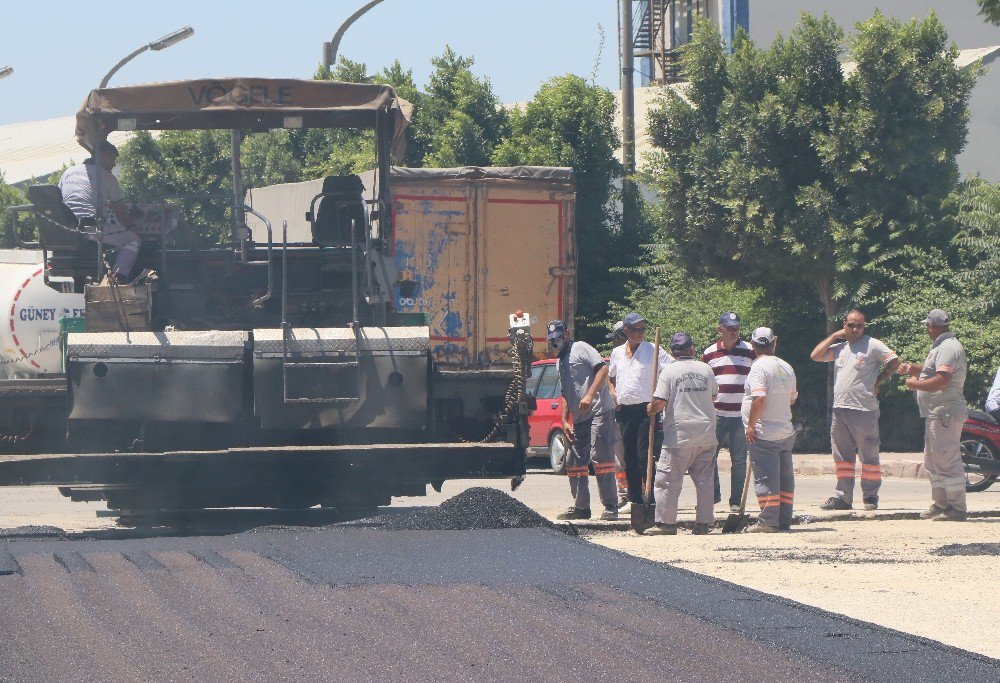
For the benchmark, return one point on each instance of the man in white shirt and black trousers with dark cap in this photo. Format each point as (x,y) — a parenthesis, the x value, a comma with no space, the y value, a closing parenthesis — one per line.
(631,375)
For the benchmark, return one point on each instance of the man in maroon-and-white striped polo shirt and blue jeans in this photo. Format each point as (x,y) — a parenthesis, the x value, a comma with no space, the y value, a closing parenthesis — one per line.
(730,359)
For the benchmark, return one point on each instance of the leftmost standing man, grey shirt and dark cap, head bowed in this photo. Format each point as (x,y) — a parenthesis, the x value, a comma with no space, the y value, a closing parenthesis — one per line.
(583,376)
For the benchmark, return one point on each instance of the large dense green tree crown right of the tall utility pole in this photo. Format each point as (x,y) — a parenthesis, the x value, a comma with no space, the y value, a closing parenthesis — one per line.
(779,170)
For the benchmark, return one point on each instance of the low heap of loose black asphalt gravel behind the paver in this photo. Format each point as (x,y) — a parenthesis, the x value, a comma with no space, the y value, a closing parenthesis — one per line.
(475,508)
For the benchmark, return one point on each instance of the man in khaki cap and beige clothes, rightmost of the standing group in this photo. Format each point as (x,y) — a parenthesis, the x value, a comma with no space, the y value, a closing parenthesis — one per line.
(939,384)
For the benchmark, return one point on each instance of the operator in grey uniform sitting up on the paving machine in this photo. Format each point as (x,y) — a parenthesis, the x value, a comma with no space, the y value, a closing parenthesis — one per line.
(77,188)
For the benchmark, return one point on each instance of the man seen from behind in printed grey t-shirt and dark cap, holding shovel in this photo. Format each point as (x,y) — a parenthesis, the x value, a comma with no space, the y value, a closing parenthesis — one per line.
(685,392)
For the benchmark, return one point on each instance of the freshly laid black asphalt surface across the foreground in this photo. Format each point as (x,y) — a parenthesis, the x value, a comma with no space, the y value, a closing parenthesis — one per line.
(339,603)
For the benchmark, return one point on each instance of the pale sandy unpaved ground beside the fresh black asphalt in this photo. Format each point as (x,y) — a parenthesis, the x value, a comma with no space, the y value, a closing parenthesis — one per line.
(881,572)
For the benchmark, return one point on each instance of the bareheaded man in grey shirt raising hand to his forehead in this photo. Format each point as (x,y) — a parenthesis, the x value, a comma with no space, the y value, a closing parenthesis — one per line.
(860,364)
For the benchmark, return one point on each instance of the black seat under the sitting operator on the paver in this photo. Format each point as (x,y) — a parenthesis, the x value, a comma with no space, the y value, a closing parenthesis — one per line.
(71,253)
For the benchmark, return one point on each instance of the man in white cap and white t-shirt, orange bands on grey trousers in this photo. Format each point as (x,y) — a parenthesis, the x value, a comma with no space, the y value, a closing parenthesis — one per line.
(767,416)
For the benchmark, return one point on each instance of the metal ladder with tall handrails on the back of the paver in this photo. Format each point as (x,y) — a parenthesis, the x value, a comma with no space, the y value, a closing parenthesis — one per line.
(334,370)
